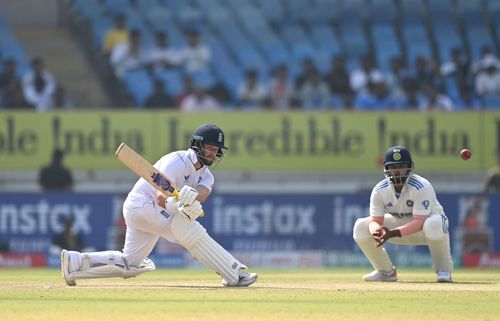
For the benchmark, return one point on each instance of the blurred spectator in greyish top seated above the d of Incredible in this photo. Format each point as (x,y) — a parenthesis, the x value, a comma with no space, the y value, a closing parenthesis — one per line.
(282,93)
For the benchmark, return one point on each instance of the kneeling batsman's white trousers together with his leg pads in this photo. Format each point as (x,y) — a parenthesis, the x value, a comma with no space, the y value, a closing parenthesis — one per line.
(146,222)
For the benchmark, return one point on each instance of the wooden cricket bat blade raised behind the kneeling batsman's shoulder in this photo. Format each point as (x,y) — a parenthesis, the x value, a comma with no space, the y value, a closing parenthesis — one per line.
(144,169)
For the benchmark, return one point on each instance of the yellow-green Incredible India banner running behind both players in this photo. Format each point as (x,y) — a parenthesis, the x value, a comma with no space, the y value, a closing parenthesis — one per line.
(301,141)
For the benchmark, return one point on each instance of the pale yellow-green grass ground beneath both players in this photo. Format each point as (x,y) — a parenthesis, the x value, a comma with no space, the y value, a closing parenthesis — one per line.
(329,294)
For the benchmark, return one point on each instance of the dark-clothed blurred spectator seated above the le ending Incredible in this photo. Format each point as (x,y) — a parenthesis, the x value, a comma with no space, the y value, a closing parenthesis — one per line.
(338,80)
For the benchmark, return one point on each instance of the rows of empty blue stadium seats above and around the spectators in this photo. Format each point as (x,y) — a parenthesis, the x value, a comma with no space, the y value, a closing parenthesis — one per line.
(257,34)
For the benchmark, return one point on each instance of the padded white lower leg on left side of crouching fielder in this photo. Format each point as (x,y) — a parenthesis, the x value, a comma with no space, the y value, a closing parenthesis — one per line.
(377,256)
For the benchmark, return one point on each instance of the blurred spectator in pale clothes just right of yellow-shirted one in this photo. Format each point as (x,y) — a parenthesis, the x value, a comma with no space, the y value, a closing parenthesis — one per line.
(129,55)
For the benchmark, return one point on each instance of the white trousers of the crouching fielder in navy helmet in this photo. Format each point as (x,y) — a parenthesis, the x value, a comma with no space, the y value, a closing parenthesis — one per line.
(434,234)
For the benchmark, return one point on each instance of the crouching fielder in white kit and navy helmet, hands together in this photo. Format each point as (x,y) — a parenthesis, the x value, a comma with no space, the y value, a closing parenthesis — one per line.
(403,210)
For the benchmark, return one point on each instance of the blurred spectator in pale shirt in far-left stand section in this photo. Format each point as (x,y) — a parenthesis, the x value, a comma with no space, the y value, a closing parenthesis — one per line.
(39,86)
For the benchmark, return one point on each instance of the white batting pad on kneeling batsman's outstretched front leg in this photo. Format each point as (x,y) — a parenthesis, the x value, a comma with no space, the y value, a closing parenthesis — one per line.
(205,249)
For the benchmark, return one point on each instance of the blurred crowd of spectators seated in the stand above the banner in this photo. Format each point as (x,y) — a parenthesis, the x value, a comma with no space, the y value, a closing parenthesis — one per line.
(182,77)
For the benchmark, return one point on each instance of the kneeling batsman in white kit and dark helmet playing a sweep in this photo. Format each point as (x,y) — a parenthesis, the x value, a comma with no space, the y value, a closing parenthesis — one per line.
(149,214)
